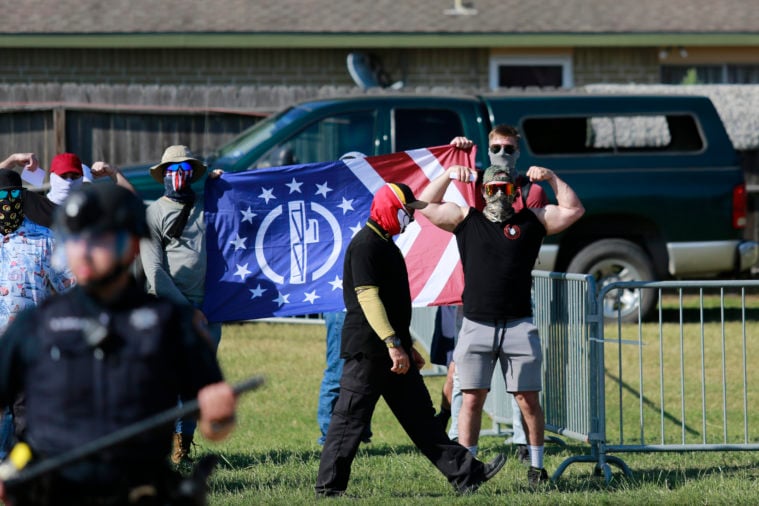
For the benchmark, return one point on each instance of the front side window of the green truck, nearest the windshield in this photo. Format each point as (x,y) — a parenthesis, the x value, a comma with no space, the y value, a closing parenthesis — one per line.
(324,140)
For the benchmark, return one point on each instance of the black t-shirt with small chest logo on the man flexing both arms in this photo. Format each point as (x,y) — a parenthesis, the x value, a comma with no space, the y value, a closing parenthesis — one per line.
(498,260)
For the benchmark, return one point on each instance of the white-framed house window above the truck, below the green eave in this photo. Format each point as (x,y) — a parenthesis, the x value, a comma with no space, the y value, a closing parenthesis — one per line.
(553,72)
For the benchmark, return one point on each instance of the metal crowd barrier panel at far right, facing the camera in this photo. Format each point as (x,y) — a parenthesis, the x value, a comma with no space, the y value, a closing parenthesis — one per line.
(682,379)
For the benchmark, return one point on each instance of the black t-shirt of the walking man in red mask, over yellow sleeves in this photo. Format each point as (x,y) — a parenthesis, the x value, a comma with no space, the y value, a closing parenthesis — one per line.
(371,260)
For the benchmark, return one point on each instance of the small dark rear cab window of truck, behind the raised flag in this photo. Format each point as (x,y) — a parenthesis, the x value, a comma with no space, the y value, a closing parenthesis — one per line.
(422,128)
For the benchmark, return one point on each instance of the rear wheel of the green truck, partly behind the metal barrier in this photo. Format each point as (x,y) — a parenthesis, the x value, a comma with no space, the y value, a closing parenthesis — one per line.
(611,260)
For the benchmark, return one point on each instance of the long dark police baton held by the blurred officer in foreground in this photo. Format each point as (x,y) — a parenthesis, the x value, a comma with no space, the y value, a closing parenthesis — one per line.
(120,436)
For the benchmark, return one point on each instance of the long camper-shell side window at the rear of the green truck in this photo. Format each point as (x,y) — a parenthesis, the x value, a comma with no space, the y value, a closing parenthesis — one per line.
(612,134)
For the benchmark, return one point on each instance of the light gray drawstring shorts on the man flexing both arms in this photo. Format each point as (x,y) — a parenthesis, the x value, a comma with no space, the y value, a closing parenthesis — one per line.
(517,346)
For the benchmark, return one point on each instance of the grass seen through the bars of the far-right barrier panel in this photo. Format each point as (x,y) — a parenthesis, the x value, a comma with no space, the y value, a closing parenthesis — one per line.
(710,358)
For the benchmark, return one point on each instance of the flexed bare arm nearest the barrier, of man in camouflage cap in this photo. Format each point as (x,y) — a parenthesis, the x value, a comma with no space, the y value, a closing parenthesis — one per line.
(569,209)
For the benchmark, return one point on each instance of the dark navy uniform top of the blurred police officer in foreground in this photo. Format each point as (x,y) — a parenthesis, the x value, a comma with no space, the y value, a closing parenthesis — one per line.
(87,370)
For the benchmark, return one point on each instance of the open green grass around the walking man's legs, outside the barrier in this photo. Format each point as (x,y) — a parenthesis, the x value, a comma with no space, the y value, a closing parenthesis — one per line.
(272,457)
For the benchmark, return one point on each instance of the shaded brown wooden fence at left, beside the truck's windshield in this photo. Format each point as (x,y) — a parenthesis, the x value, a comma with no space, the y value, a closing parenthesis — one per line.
(123,135)
